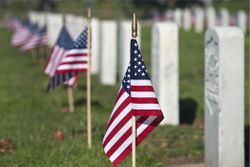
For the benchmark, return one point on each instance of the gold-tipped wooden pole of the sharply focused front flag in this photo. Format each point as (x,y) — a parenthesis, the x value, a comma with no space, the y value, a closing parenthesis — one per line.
(134,35)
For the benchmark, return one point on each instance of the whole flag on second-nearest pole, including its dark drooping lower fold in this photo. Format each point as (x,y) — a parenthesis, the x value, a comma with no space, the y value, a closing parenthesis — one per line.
(75,60)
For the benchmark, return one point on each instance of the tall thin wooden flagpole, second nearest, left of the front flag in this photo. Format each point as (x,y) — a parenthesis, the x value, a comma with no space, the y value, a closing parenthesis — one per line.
(89,81)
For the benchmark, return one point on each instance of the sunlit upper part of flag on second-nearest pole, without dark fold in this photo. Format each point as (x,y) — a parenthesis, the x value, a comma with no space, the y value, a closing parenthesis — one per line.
(76,59)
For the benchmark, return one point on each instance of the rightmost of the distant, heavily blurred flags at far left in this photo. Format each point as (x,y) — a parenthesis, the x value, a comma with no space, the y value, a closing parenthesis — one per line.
(37,38)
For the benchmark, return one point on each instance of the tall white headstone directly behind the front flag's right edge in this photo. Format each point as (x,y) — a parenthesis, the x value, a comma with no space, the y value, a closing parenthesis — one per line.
(165,71)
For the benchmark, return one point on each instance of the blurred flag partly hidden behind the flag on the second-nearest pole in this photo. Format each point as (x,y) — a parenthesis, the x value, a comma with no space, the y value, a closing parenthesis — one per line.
(63,44)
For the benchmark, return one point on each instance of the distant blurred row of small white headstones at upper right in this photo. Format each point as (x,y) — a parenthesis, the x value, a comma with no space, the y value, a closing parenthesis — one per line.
(200,18)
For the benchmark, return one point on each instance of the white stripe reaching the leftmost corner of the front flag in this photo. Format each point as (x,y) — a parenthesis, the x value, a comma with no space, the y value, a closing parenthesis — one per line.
(124,112)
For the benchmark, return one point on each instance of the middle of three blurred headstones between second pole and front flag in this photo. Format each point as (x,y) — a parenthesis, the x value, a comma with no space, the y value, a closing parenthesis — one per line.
(108,52)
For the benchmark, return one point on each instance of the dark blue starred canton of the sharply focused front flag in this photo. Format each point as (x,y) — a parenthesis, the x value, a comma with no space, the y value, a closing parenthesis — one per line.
(136,69)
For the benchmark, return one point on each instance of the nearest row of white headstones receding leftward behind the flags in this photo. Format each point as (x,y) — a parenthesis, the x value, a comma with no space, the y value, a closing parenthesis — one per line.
(224,77)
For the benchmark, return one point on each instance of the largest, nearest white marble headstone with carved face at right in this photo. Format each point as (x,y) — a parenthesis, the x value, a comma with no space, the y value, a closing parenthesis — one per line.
(224,97)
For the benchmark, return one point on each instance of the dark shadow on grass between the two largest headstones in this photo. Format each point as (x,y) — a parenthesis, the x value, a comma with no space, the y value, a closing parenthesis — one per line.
(188,108)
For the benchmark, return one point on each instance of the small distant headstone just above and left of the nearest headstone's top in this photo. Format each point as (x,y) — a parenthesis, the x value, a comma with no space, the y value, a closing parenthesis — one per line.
(199,20)
